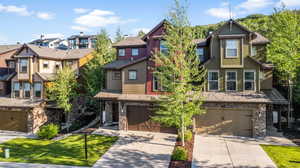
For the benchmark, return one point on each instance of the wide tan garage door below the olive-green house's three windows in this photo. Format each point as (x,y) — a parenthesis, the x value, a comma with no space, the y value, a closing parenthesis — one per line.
(236,122)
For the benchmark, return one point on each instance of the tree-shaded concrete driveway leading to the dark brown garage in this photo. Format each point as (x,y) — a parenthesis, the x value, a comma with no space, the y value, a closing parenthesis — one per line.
(137,149)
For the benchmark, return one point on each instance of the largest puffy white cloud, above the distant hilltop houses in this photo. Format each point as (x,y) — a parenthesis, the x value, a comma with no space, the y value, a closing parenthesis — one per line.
(99,18)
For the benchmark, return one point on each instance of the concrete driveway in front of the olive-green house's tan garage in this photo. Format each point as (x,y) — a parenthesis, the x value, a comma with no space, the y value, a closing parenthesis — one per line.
(232,152)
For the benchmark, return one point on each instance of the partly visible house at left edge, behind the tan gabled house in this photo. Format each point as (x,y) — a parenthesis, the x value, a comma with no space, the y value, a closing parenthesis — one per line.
(7,68)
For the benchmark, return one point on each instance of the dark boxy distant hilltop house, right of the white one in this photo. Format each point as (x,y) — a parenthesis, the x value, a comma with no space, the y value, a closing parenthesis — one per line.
(82,41)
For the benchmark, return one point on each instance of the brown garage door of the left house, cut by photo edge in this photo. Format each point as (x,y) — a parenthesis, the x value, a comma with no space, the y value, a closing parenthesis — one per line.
(13,121)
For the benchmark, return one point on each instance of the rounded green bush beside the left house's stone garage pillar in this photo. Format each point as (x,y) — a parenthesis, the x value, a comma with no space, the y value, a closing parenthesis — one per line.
(48,131)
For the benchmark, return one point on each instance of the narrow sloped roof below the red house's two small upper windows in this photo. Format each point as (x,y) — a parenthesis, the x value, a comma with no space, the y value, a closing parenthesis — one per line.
(120,64)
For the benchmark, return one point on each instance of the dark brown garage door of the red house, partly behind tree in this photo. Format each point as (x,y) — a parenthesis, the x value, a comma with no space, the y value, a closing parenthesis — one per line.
(139,119)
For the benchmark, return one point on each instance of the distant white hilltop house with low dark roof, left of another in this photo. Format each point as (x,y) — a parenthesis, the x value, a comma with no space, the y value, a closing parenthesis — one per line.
(56,43)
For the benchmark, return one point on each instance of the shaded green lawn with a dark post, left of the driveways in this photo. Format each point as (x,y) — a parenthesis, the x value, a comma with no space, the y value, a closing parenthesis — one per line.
(68,151)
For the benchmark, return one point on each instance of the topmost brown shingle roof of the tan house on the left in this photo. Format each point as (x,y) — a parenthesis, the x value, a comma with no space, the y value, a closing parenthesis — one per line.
(57,54)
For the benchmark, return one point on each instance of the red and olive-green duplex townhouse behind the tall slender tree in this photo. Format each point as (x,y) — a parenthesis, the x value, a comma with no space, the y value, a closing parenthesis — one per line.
(239,97)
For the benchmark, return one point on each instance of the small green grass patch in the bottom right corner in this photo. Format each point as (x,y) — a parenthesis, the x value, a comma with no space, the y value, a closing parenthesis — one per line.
(284,156)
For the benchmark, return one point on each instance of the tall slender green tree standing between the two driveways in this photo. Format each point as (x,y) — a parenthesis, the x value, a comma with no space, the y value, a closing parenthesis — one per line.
(179,70)
